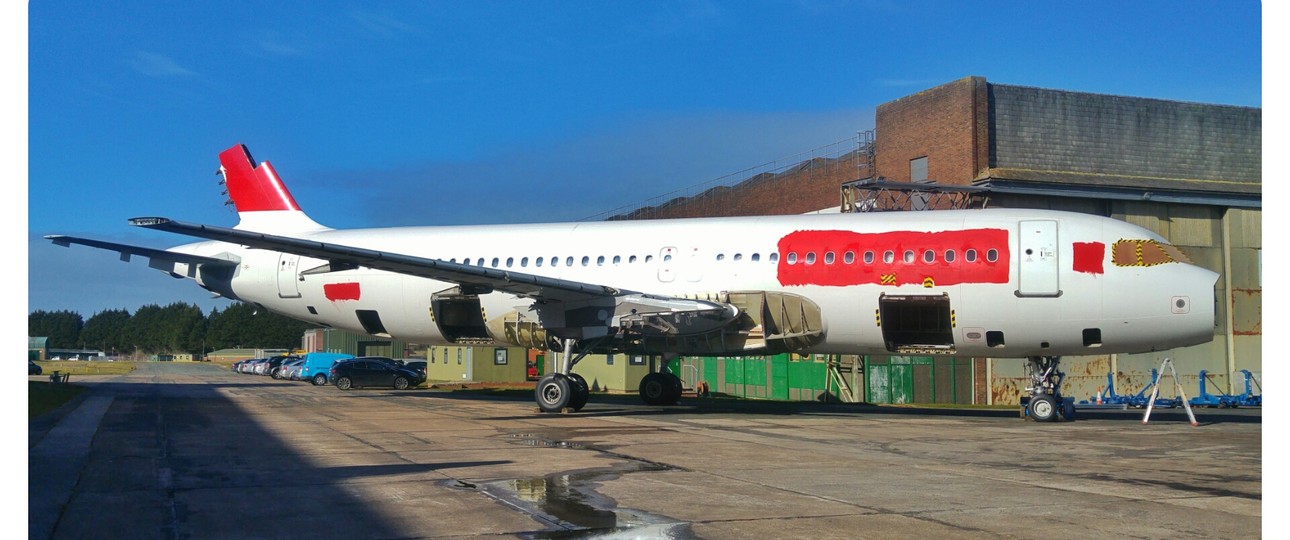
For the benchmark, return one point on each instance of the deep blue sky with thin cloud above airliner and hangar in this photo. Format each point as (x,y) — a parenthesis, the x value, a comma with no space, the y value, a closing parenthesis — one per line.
(428,113)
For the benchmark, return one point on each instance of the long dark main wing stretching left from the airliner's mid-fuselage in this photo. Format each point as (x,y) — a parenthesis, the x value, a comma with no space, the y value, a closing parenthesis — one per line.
(471,279)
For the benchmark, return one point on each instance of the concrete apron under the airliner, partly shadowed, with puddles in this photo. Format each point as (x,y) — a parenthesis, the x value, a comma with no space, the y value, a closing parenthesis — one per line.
(193,452)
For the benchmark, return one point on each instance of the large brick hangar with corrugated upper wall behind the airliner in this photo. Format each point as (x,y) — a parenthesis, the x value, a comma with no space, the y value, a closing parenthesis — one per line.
(1190,172)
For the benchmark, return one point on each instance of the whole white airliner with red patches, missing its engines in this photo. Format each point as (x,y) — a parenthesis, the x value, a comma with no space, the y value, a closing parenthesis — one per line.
(986,283)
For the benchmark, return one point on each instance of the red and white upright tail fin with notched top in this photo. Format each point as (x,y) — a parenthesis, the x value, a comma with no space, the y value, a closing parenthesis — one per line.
(260,197)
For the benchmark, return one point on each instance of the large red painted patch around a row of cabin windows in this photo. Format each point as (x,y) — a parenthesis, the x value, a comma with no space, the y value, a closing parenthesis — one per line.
(962,247)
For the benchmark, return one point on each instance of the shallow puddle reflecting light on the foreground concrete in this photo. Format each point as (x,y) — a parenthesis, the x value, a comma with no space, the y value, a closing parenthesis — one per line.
(572,507)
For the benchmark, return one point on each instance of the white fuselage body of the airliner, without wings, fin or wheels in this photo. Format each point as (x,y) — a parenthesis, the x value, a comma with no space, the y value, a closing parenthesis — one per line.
(1055,287)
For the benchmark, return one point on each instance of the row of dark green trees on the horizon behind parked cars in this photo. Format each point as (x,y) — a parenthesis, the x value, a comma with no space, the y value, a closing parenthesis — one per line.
(179,328)
